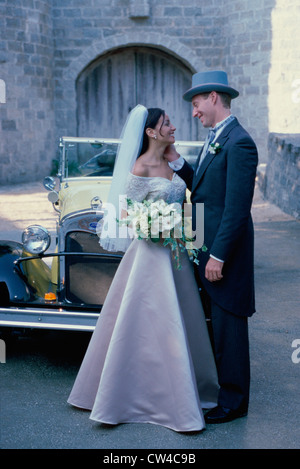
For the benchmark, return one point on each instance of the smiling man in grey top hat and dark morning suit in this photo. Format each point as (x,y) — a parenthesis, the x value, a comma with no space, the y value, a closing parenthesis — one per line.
(223,179)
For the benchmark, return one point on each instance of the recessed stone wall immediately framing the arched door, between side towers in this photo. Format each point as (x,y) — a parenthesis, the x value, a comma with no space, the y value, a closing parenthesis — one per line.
(186,30)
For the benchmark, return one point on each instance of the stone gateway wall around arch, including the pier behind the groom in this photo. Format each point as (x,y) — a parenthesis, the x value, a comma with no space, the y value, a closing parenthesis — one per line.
(234,35)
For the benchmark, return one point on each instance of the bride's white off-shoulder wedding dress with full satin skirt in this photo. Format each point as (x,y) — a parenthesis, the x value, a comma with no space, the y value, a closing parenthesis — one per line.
(149,359)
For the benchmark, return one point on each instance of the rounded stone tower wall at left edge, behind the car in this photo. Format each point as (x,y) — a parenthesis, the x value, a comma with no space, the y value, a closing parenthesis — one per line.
(26,66)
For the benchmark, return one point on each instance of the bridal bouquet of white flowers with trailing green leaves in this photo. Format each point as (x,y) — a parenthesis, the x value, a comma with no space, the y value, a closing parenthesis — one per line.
(158,221)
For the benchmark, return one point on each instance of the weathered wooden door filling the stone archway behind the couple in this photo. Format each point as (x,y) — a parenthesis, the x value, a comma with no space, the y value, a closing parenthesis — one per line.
(114,83)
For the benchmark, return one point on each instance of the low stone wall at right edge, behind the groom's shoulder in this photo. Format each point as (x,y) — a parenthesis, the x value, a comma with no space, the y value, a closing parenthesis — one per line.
(280,180)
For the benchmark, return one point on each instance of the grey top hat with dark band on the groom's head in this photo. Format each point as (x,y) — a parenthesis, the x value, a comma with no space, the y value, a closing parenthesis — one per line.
(204,82)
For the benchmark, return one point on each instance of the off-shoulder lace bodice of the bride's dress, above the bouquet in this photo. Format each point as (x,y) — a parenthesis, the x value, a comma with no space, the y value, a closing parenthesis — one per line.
(140,188)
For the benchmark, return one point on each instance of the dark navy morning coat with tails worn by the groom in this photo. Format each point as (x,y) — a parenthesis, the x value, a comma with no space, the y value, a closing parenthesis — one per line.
(225,184)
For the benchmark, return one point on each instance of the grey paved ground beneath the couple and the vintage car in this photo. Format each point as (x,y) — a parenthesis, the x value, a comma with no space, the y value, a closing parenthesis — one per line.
(38,374)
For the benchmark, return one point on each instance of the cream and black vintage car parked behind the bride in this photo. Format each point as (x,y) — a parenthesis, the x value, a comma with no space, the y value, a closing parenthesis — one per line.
(65,287)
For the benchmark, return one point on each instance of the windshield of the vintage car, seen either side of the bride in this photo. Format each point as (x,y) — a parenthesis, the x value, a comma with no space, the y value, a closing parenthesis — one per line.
(82,157)
